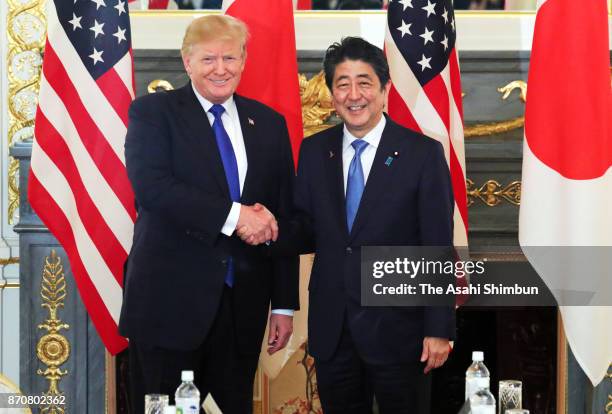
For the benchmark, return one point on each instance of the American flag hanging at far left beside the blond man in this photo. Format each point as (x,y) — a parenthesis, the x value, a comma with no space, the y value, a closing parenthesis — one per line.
(78,184)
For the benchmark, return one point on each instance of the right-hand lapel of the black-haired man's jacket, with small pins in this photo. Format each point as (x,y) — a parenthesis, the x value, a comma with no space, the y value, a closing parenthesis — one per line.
(380,176)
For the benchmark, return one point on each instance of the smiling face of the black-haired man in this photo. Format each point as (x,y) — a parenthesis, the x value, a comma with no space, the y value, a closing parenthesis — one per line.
(358,96)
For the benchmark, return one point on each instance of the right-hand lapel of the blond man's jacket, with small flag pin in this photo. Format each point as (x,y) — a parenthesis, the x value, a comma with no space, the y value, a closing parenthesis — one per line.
(247,125)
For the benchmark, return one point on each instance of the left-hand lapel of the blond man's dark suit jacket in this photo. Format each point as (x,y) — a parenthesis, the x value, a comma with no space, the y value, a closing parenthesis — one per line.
(201,133)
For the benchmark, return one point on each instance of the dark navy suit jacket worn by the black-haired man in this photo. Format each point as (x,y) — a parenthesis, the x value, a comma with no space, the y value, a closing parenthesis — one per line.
(408,203)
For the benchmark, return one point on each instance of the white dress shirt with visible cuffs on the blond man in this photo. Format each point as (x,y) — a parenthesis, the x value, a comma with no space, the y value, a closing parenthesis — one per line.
(231,123)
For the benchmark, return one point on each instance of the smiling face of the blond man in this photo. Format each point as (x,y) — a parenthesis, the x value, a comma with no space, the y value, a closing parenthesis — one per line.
(215,67)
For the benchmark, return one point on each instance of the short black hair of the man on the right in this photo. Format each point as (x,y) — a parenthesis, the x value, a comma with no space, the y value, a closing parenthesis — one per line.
(355,48)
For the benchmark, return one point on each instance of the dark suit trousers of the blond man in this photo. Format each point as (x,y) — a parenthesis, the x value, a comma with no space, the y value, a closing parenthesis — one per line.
(219,368)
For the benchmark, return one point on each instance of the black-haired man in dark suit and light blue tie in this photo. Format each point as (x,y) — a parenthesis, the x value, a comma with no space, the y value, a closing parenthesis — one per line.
(369,182)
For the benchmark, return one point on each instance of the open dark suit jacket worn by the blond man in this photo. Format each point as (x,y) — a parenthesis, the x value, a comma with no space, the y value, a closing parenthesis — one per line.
(176,269)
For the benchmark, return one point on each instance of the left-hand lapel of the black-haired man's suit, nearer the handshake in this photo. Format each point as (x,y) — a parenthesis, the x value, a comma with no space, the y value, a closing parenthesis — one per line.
(335,174)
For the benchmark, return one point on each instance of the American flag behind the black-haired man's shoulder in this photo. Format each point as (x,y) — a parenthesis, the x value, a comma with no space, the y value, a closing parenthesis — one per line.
(426,91)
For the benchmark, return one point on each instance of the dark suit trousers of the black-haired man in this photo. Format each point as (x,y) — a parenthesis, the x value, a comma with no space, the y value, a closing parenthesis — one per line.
(347,383)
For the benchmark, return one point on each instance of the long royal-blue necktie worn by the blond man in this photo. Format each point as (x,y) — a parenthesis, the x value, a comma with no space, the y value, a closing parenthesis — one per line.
(230,165)
